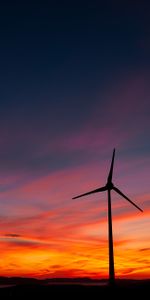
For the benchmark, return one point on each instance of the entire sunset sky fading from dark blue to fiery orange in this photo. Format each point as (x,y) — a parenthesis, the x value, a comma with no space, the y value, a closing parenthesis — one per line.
(74,84)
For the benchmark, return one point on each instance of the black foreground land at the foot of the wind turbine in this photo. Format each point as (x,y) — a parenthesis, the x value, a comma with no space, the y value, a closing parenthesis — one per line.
(122,290)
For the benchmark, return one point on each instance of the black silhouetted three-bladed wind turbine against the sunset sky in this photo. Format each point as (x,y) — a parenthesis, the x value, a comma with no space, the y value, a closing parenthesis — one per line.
(108,187)
